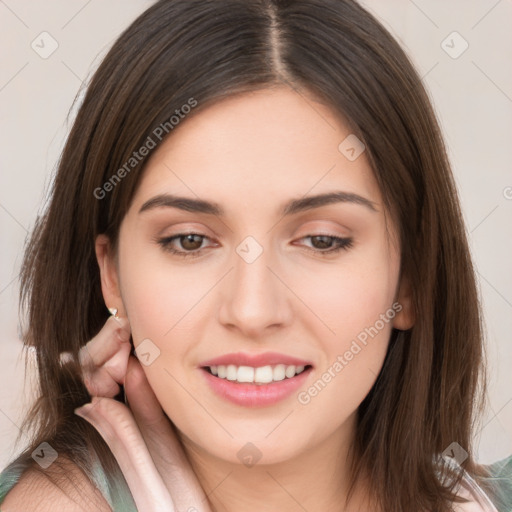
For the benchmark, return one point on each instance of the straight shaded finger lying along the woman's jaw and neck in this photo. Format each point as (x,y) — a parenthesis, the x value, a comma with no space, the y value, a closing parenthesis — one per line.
(163,444)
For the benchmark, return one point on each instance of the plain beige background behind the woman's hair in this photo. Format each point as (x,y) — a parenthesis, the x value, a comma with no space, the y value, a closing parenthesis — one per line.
(472,95)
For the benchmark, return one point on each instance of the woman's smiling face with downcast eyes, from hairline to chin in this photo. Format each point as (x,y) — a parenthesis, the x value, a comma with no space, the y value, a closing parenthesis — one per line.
(257,278)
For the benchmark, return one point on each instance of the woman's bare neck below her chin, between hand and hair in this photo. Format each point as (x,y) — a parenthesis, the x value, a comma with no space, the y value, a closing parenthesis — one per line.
(314,480)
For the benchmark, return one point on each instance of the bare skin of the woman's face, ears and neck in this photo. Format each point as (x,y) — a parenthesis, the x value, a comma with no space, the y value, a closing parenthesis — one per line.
(250,154)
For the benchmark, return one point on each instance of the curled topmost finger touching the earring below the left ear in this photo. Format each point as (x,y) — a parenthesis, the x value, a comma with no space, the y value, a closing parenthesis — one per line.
(112,336)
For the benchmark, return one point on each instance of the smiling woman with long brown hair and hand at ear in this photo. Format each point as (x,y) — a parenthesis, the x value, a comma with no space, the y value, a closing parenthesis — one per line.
(260,194)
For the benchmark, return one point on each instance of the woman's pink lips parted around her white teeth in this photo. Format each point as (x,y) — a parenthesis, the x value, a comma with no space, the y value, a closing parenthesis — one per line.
(250,394)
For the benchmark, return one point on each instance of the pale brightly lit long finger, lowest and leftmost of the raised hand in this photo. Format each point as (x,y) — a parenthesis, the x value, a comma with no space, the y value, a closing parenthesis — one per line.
(116,425)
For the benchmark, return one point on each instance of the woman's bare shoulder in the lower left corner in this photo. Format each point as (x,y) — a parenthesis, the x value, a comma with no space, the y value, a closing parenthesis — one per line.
(60,487)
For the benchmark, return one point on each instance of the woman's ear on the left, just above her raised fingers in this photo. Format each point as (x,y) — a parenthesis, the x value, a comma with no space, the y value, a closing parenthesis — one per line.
(109,274)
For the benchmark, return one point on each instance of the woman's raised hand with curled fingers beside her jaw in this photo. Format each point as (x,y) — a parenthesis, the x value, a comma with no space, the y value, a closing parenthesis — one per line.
(142,439)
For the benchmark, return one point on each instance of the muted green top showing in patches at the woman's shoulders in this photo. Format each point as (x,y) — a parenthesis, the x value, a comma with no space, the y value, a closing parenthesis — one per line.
(120,499)
